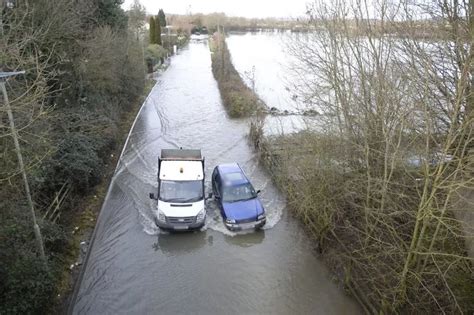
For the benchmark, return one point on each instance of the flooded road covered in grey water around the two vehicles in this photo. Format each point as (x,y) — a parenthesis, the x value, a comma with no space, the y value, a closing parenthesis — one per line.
(133,268)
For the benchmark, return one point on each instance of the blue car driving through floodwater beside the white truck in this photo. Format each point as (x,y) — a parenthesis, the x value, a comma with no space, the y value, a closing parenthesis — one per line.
(237,199)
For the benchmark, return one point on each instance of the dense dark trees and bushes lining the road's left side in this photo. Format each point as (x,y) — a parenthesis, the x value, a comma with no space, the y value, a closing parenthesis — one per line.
(84,69)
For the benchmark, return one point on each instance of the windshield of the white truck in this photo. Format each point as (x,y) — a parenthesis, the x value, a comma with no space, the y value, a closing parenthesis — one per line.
(181,191)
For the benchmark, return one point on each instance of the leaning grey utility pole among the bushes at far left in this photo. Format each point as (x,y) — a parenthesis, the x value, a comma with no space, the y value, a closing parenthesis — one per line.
(39,239)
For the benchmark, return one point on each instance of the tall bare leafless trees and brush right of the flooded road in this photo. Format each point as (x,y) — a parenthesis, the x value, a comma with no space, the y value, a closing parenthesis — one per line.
(383,181)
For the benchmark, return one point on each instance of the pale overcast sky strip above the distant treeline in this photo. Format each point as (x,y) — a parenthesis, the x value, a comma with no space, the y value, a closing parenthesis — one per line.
(247,8)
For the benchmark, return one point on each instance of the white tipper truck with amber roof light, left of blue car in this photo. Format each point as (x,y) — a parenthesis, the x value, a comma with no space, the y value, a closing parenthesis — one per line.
(180,198)
